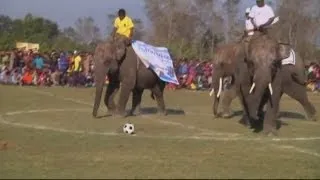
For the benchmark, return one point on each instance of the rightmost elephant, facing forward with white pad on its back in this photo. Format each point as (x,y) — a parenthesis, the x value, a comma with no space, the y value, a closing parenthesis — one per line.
(270,79)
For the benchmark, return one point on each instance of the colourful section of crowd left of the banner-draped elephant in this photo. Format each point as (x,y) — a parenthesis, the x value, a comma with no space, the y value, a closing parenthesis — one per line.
(21,67)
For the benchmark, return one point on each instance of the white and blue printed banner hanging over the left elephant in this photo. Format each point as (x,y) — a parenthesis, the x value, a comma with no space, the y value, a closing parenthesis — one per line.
(156,58)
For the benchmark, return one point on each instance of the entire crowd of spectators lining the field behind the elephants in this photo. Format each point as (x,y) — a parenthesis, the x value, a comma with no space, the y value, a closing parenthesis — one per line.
(75,69)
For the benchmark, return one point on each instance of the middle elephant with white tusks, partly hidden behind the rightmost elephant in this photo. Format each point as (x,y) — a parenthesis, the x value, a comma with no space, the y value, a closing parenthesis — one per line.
(229,63)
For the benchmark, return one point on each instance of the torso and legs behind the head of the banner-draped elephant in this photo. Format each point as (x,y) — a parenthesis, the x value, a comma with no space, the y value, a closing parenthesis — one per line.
(135,77)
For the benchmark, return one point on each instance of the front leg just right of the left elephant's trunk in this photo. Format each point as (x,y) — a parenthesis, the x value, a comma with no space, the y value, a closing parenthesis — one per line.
(112,89)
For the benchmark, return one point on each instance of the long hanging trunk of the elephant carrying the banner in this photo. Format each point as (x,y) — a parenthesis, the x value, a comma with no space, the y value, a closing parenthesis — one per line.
(100,75)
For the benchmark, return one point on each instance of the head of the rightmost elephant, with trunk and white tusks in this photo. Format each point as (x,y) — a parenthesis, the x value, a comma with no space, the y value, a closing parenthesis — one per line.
(263,62)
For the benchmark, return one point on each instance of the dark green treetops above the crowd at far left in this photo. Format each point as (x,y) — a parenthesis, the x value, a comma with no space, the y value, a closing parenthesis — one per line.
(36,30)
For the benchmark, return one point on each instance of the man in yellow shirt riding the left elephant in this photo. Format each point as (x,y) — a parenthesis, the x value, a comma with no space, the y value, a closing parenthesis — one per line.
(123,25)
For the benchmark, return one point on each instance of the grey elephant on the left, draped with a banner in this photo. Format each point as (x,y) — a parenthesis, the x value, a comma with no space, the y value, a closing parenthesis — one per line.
(117,59)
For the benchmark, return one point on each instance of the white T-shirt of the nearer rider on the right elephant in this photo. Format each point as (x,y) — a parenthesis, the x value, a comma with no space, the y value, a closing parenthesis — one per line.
(261,15)
